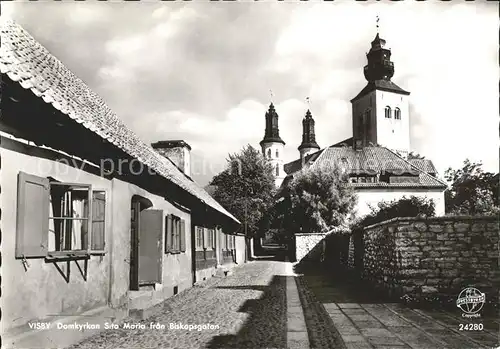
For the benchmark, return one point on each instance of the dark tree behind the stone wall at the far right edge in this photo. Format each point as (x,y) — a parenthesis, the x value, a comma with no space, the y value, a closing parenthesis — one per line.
(472,191)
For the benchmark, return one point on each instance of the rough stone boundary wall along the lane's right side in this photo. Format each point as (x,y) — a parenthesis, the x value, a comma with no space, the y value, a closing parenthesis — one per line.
(431,256)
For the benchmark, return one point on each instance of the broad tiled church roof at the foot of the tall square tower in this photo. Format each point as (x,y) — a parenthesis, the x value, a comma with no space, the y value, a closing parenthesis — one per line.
(370,161)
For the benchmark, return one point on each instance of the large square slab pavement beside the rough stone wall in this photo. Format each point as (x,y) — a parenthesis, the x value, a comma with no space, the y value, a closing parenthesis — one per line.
(364,320)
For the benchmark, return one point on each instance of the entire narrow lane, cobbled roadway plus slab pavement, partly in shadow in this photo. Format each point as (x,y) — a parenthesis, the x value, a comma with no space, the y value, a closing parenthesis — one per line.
(262,304)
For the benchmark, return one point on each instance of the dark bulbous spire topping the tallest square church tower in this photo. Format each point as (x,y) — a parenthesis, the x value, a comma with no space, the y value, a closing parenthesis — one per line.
(379,65)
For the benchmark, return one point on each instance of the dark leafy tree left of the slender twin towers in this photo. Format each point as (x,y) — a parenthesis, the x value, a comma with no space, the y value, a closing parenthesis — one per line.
(246,188)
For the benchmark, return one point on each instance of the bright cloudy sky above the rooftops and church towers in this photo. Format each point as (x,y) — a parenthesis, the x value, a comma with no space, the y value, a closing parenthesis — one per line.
(202,72)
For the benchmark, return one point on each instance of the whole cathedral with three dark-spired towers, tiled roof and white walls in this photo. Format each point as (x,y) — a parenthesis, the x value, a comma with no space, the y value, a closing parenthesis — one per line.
(377,156)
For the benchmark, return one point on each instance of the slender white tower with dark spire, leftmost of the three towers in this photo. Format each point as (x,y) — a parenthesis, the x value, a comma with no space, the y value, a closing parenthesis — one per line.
(272,145)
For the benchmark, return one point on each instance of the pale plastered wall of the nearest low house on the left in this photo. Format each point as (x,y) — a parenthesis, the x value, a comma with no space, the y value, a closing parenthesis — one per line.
(41,289)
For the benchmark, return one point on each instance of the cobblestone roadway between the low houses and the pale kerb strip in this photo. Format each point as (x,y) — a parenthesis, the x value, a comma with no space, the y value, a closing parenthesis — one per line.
(248,307)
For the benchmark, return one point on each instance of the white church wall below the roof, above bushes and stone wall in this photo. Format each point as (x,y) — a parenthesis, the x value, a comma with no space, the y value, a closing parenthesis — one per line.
(373,196)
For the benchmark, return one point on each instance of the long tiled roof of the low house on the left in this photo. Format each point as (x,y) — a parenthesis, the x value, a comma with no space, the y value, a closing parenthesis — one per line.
(24,60)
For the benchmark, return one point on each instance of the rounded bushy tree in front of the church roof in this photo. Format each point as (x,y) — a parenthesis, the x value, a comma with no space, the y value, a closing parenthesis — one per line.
(317,200)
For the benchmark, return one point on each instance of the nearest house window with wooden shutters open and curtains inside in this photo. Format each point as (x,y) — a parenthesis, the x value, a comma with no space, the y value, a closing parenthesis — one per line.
(55,218)
